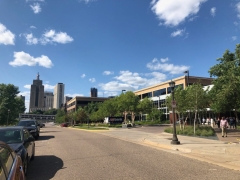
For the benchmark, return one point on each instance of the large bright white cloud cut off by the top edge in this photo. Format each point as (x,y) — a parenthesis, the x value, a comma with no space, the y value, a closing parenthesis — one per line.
(174,12)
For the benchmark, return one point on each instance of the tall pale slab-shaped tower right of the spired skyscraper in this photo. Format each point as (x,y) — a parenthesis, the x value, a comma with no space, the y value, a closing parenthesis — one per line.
(58,96)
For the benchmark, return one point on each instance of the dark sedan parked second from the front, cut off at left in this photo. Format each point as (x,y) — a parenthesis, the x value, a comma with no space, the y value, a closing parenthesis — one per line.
(21,141)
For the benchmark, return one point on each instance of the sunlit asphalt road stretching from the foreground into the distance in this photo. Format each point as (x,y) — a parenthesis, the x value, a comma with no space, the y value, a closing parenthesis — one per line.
(64,153)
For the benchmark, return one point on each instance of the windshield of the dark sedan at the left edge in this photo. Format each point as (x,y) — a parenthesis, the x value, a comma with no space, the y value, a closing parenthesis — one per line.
(11,136)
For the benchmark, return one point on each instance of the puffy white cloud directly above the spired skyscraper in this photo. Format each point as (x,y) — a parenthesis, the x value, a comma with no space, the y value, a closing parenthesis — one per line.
(22,58)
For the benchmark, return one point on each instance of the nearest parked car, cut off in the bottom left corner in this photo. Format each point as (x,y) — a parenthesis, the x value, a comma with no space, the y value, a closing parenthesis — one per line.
(10,164)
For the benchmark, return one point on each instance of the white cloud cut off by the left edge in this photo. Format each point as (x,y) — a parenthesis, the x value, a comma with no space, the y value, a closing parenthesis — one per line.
(6,36)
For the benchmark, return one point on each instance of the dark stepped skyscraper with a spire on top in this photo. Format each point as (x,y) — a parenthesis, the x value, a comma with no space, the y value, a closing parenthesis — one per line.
(36,95)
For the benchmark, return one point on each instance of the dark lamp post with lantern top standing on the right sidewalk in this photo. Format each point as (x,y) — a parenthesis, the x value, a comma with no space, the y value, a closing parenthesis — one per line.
(174,139)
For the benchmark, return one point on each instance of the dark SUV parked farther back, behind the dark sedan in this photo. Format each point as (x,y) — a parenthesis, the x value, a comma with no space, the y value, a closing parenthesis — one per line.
(32,125)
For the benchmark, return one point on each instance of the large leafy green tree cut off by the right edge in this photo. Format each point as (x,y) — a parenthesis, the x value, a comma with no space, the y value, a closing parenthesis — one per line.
(226,91)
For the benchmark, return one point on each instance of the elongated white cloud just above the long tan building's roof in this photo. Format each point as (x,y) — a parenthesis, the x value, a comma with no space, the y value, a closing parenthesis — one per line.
(165,67)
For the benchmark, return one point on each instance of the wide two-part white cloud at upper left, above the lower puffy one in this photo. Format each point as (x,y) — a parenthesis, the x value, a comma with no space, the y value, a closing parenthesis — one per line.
(49,37)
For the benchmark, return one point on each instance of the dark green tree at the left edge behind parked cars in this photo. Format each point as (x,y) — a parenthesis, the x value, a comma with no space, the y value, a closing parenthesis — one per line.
(10,104)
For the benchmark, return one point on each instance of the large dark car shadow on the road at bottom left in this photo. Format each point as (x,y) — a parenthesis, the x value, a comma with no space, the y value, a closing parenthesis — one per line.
(44,167)
